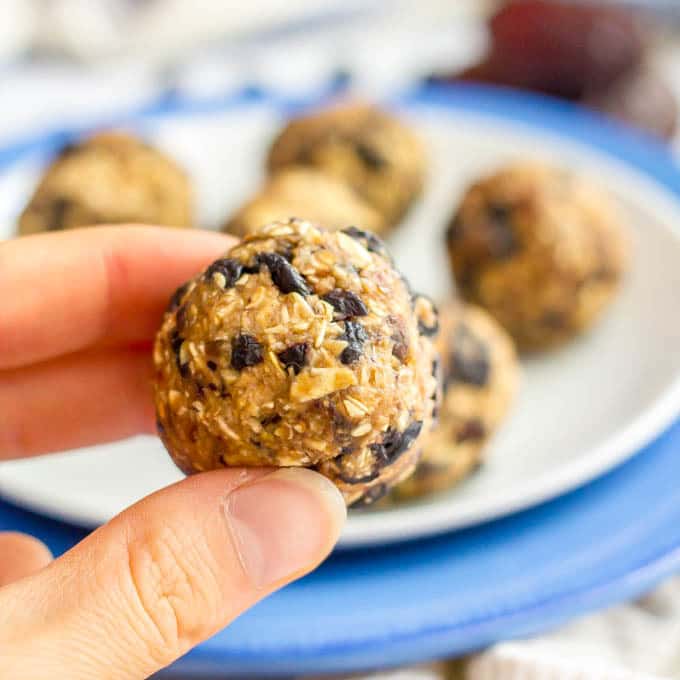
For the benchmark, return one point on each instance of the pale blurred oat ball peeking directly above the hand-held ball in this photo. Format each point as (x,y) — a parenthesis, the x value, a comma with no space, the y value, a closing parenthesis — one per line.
(301,191)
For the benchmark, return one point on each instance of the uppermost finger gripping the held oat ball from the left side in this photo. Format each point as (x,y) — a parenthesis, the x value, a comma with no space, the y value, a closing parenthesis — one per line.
(64,292)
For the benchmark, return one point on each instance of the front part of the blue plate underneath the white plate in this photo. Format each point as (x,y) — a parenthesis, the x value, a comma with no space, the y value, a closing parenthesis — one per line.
(609,541)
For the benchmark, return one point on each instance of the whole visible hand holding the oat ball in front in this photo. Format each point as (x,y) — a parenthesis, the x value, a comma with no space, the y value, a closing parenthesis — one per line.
(78,313)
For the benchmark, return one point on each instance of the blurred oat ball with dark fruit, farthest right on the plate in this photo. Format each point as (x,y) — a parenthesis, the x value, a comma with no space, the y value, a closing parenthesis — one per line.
(541,249)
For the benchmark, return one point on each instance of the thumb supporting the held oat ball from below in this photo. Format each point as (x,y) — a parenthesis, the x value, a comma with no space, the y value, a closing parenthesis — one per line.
(167,573)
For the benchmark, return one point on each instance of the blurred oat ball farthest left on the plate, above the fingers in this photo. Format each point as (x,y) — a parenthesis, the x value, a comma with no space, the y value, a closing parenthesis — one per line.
(111,178)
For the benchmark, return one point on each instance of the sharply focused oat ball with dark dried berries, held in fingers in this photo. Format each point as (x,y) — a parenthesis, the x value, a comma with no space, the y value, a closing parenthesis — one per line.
(299,348)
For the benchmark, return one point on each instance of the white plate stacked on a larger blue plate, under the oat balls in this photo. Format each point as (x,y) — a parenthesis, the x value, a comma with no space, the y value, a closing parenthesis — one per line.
(579,521)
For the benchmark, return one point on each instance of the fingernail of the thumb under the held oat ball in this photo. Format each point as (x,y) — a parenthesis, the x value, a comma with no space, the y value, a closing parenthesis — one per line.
(284,523)
